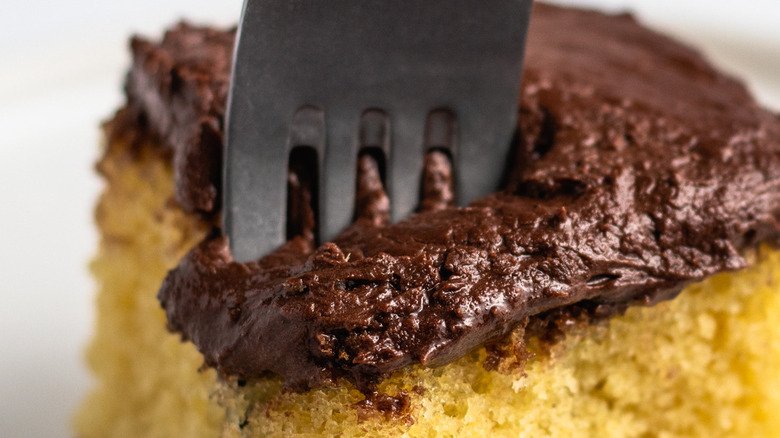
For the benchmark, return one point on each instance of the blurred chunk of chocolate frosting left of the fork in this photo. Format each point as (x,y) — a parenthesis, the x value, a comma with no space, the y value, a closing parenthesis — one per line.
(179,88)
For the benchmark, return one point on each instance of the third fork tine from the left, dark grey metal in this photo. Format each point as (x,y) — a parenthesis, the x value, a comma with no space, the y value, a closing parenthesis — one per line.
(406,160)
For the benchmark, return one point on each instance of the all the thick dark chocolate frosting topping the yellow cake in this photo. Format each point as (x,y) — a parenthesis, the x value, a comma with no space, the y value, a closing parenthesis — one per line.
(638,169)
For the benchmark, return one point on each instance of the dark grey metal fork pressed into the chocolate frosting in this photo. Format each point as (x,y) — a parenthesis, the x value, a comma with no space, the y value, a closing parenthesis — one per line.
(332,74)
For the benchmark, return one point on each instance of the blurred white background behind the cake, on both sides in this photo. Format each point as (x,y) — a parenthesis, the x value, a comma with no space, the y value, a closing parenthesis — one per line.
(61,71)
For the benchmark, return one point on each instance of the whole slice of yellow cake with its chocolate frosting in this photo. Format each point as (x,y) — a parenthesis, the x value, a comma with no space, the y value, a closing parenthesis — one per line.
(625,283)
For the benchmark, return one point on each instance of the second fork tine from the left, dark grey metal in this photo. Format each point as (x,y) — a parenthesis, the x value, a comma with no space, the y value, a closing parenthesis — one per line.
(337,195)
